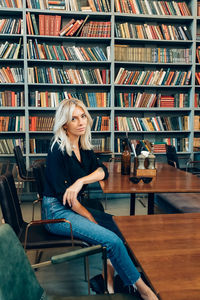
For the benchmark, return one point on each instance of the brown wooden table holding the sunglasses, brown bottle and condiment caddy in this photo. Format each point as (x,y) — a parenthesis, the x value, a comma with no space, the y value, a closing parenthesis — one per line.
(167,180)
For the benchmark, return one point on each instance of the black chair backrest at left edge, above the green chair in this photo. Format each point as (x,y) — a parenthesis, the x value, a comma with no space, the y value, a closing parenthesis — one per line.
(9,201)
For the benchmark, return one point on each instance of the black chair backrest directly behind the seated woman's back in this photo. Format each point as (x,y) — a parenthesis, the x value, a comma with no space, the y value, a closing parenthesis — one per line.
(39,174)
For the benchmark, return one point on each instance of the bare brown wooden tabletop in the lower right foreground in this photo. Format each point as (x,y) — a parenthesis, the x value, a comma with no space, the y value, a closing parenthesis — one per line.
(167,247)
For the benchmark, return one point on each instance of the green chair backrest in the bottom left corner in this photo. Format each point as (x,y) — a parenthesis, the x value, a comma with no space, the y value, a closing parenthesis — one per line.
(17,278)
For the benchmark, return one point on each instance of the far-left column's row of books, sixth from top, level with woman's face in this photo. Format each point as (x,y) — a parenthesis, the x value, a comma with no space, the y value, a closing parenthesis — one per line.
(14,123)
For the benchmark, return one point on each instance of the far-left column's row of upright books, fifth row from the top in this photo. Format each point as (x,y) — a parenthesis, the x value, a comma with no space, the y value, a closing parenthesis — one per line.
(12,98)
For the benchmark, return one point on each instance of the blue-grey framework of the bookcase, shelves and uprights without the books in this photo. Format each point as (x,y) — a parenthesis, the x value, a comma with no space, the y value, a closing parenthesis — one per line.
(111,90)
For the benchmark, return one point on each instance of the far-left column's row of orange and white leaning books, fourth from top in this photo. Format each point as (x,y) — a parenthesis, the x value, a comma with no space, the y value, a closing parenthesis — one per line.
(11,75)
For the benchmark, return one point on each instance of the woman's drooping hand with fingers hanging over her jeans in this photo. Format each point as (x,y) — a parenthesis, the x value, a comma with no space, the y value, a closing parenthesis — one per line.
(71,193)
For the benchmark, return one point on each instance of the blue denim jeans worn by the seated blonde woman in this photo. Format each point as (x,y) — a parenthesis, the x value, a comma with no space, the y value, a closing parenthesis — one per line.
(92,233)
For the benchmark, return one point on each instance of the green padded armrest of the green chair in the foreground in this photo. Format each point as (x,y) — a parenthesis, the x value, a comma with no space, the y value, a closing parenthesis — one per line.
(60,258)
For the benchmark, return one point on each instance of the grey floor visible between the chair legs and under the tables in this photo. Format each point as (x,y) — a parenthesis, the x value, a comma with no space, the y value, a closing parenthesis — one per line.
(68,279)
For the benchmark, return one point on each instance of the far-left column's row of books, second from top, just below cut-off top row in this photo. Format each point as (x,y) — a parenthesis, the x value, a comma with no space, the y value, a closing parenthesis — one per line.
(11,26)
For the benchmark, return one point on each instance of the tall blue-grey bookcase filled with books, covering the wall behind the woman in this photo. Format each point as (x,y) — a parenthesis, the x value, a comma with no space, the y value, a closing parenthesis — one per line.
(134,59)
